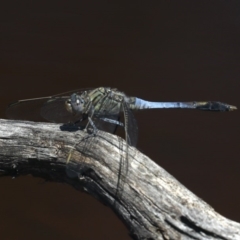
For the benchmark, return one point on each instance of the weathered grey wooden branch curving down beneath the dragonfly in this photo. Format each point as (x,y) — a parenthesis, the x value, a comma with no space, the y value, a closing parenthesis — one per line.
(153,204)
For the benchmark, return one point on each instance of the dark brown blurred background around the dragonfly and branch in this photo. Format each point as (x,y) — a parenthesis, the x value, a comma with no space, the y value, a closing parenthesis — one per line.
(156,50)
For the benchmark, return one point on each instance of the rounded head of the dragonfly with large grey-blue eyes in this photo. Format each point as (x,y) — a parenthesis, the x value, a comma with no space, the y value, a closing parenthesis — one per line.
(75,104)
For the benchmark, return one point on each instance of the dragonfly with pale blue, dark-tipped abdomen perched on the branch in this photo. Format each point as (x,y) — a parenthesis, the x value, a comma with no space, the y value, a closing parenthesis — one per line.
(102,108)
